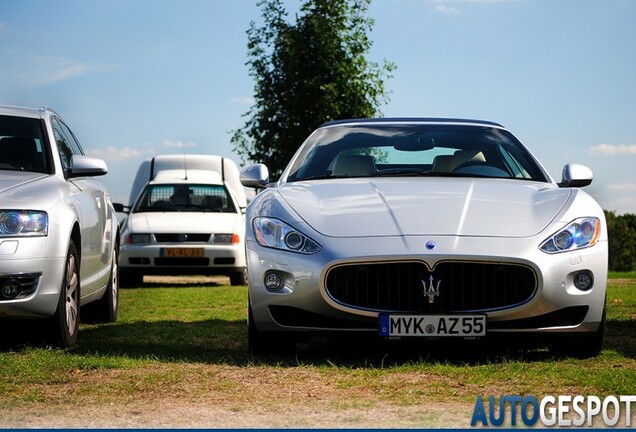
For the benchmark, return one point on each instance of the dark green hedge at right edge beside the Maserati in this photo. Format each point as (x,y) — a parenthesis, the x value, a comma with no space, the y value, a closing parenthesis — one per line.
(622,241)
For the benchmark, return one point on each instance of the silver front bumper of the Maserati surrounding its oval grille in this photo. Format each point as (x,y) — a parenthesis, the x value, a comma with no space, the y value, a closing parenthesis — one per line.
(304,304)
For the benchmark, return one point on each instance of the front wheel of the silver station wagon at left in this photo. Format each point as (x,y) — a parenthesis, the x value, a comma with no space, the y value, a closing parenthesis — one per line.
(65,321)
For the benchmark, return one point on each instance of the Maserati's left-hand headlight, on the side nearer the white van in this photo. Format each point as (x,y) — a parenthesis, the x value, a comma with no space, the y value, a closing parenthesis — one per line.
(277,234)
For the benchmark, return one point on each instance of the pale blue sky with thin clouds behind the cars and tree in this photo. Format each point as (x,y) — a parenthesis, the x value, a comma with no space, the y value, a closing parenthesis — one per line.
(136,78)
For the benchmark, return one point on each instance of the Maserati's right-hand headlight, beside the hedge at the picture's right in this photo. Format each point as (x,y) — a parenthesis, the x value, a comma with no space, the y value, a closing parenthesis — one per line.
(578,234)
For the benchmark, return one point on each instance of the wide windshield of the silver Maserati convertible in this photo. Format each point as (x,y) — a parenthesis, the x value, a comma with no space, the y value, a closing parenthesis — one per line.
(371,150)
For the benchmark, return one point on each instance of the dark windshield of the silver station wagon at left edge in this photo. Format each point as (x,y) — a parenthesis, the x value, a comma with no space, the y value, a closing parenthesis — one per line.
(22,146)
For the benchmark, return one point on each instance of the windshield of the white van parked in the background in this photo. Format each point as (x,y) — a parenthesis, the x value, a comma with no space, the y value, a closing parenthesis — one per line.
(184,198)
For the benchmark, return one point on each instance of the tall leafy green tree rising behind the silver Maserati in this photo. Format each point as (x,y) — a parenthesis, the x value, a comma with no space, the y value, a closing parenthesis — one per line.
(307,72)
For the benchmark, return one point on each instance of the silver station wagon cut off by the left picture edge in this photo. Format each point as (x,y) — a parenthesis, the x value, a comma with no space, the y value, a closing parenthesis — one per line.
(58,229)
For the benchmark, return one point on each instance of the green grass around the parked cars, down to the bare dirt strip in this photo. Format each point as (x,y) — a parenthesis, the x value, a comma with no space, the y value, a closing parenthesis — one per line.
(167,335)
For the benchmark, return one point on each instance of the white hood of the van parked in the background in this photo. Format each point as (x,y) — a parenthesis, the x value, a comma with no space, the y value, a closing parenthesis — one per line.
(185,222)
